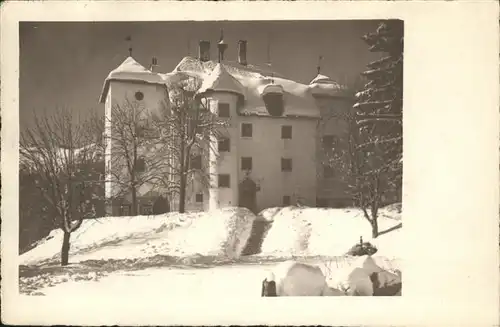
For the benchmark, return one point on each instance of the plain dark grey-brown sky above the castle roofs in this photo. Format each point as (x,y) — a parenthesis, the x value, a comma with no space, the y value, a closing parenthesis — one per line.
(64,64)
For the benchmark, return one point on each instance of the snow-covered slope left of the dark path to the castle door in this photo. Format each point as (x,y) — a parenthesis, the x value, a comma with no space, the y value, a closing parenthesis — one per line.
(222,232)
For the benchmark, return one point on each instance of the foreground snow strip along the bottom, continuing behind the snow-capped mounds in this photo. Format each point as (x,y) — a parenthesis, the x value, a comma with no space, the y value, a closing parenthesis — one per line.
(238,279)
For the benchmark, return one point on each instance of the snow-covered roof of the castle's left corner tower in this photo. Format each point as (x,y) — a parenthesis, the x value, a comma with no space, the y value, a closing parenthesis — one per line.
(130,70)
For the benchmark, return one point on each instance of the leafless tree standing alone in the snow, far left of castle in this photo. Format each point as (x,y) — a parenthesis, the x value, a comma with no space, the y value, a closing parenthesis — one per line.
(57,150)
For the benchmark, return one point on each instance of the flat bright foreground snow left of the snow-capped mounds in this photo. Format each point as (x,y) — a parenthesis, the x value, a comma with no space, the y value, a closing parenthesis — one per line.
(159,282)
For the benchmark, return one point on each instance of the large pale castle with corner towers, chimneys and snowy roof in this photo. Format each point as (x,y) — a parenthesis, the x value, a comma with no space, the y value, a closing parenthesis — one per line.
(279,131)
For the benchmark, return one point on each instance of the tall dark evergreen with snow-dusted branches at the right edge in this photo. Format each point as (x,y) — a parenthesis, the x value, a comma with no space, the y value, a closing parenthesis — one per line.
(379,105)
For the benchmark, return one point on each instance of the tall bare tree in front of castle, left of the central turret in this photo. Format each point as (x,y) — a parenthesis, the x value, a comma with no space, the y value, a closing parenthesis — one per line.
(187,129)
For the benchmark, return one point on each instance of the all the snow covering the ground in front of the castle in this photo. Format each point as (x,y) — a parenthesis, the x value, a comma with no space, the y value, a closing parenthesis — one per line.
(200,253)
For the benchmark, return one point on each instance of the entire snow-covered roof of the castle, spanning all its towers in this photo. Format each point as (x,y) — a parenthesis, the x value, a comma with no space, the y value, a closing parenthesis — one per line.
(251,82)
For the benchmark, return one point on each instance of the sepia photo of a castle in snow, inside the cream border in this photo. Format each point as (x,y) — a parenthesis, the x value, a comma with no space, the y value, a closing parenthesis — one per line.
(245,158)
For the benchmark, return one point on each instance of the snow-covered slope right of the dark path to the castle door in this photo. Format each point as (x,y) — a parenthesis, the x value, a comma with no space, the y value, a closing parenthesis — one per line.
(324,232)
